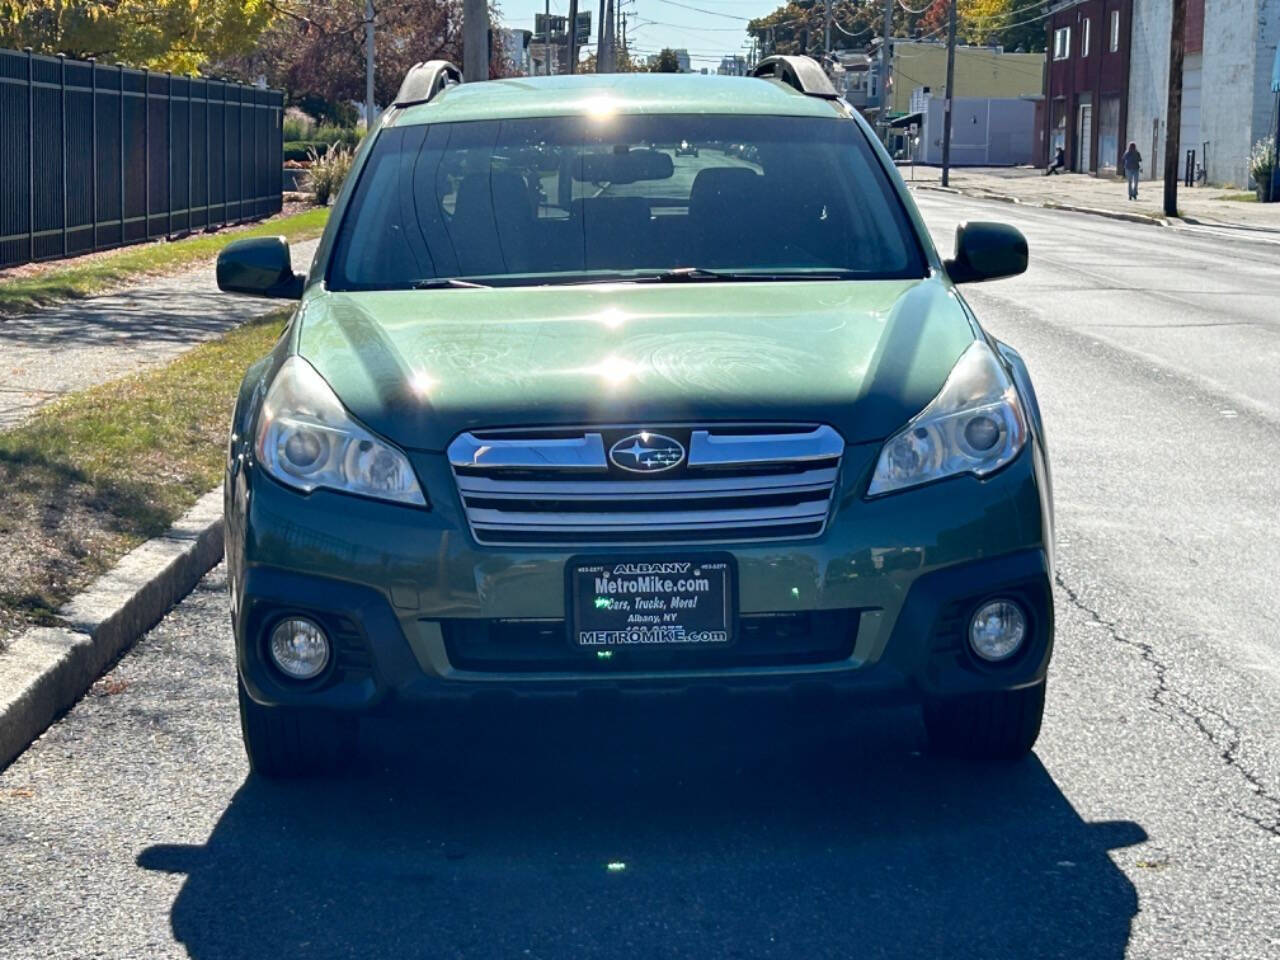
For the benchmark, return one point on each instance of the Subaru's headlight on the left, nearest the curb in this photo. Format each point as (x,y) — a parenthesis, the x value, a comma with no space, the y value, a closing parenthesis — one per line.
(307,440)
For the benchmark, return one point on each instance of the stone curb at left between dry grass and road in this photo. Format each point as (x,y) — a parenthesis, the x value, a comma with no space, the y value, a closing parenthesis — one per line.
(47,670)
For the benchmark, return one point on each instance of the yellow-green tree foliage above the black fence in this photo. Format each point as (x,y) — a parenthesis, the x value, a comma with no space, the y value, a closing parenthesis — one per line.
(164,35)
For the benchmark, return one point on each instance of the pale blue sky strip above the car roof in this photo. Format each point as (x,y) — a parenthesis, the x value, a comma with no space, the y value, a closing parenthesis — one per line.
(714,30)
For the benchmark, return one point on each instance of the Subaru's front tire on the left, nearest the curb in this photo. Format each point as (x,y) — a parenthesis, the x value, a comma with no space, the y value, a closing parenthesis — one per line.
(286,742)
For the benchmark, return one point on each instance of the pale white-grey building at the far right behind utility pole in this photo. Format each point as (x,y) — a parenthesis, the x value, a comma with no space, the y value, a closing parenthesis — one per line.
(1227,95)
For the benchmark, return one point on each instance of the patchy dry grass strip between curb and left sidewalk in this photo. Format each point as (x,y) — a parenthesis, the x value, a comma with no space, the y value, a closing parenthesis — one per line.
(95,474)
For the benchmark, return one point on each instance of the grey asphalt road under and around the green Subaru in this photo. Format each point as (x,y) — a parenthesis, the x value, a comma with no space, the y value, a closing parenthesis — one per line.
(1146,825)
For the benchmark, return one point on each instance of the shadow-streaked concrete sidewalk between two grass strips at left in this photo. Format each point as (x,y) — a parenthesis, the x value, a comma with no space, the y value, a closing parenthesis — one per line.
(86,342)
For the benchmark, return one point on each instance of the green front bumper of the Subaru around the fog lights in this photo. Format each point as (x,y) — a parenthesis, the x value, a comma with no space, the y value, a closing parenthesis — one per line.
(400,589)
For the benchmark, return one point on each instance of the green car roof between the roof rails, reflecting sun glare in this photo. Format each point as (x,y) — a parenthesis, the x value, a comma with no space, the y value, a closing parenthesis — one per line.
(616,93)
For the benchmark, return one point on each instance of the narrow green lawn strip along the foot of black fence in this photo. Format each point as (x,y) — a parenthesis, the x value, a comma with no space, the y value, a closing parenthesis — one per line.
(58,282)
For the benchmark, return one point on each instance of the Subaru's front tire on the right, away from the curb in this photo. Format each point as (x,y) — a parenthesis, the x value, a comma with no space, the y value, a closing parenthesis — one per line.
(1000,726)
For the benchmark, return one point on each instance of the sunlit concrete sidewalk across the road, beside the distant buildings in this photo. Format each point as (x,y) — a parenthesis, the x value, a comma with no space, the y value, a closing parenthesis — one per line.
(1104,195)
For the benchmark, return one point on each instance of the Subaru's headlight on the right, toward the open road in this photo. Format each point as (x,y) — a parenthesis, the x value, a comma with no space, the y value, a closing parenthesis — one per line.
(973,427)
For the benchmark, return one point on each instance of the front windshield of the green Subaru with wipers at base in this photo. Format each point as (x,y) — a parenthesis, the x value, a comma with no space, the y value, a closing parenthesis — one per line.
(582,199)
